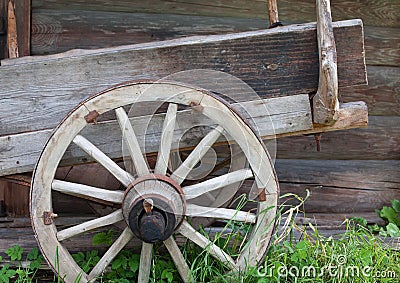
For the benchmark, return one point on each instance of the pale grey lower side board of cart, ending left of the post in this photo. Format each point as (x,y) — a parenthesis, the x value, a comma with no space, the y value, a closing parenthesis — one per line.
(20,152)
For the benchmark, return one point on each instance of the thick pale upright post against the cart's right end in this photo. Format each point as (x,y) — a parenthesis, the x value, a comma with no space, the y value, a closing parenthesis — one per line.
(325,102)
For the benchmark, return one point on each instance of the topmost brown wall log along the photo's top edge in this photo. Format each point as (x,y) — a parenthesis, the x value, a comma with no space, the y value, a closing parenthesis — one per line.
(373,12)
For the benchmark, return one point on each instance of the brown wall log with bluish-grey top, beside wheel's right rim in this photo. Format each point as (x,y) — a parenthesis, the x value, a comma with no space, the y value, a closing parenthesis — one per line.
(346,174)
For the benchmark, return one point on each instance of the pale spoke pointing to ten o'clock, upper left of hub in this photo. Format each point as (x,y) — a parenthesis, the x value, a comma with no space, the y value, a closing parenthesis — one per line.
(124,177)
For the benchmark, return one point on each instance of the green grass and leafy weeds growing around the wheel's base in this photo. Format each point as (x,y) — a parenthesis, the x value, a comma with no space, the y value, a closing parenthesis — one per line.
(356,255)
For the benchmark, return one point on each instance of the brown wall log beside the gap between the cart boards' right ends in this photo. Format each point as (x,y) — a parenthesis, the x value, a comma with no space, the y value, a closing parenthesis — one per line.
(382,94)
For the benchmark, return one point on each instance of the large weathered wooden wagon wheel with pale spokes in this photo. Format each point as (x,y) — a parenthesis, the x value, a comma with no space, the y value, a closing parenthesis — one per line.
(153,200)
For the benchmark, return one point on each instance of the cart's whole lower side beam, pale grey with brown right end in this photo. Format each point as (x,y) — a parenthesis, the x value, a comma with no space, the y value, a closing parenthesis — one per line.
(286,116)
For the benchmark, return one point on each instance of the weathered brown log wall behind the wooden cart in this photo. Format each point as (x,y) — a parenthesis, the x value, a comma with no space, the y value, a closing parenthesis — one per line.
(368,159)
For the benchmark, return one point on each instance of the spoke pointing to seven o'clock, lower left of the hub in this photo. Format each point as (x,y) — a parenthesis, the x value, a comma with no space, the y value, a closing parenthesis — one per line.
(111,253)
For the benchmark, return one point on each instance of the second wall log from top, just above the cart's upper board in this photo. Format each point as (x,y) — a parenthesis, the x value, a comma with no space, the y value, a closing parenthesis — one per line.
(55,31)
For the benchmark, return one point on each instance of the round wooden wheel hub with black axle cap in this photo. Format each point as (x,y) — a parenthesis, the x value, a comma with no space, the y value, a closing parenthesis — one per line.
(153,207)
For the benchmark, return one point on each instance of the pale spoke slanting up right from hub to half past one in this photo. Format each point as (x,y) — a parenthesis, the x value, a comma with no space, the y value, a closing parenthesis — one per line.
(195,156)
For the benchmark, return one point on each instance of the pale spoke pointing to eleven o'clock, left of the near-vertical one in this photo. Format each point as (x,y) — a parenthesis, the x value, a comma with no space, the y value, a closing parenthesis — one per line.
(132,142)
